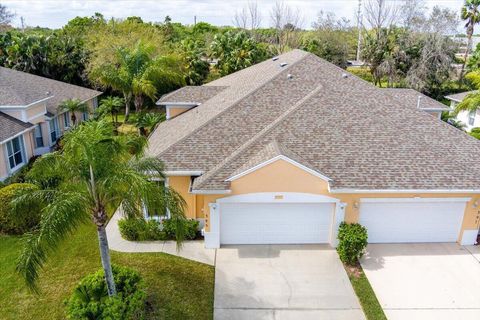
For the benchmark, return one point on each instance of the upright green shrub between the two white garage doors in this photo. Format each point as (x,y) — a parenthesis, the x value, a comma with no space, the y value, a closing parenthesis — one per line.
(352,242)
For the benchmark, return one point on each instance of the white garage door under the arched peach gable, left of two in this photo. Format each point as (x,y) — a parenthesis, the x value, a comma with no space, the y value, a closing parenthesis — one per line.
(275,223)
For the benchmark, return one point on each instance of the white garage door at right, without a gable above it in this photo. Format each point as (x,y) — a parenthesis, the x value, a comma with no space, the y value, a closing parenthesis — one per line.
(426,221)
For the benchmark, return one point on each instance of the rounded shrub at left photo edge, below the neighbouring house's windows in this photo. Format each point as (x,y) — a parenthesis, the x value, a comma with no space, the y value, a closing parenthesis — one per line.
(23,218)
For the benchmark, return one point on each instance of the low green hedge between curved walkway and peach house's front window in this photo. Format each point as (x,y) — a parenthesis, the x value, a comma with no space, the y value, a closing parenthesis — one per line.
(134,229)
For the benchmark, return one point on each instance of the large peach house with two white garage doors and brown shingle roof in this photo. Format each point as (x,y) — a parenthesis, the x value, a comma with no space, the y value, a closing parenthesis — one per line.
(284,151)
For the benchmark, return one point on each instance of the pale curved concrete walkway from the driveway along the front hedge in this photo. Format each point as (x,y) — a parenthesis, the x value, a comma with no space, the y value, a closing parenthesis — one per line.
(193,250)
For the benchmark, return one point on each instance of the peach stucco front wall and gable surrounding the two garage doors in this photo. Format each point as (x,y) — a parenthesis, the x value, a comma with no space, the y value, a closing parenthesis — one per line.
(281,176)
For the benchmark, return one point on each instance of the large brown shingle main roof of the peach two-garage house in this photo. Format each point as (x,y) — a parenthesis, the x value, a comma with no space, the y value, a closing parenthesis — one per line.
(358,135)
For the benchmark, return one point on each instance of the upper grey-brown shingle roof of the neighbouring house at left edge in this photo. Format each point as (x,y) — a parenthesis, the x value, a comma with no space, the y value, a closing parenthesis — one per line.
(22,88)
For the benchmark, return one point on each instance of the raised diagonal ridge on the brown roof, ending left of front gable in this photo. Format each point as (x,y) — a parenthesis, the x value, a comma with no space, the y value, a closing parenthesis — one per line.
(261,133)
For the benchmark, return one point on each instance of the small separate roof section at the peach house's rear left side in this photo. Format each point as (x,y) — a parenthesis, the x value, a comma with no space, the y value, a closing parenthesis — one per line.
(193,95)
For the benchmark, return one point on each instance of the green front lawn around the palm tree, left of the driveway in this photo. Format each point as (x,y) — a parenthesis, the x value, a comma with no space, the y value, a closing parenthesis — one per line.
(177,288)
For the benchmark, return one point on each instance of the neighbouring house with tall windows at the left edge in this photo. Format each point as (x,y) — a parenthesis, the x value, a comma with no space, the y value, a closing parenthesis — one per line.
(30,122)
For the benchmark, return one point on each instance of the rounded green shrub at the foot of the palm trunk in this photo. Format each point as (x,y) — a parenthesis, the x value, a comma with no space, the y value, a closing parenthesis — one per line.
(90,300)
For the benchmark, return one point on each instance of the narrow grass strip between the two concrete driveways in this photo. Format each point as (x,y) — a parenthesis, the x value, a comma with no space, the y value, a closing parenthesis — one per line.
(370,305)
